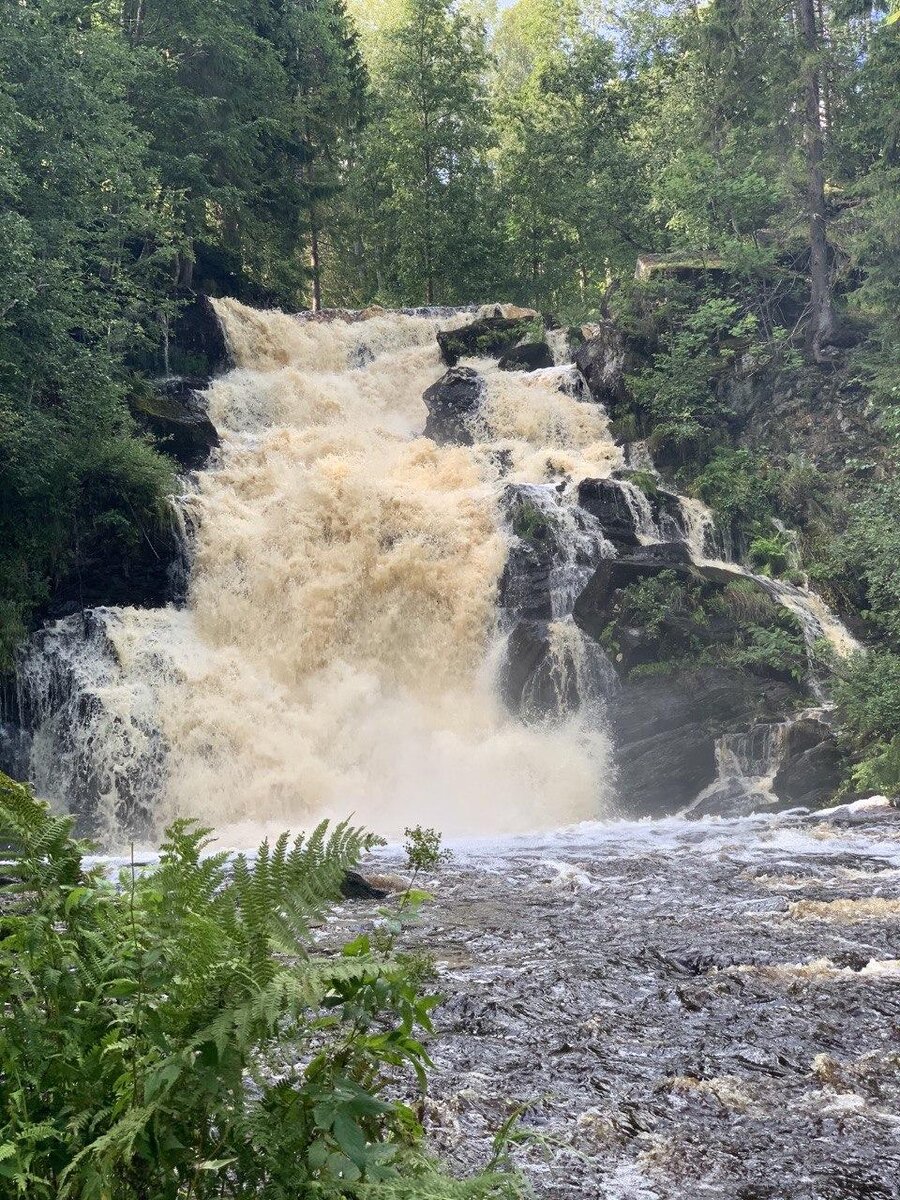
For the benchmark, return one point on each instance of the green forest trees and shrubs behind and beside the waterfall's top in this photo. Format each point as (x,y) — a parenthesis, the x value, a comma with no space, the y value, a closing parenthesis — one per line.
(411,152)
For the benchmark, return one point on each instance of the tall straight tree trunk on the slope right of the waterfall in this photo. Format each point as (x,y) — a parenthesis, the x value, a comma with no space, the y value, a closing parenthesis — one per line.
(821,325)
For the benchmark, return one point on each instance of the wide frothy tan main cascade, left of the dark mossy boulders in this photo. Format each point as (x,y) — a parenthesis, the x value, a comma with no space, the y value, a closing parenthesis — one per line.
(338,653)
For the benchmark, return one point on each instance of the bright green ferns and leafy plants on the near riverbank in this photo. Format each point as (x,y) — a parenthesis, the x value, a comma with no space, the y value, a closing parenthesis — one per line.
(178,1035)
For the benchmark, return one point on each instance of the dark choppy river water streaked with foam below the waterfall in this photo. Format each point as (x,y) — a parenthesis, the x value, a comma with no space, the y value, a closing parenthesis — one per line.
(683,1010)
